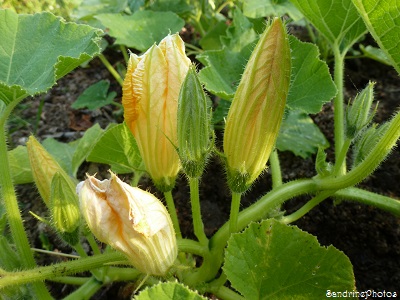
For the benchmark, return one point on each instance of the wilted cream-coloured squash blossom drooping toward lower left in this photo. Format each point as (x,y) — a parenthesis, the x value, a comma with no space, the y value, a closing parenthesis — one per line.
(130,220)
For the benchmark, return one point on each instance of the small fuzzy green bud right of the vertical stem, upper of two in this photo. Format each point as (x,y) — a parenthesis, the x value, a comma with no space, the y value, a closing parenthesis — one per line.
(358,114)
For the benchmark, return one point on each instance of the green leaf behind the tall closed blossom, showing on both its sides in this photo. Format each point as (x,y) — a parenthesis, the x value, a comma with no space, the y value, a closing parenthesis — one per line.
(311,84)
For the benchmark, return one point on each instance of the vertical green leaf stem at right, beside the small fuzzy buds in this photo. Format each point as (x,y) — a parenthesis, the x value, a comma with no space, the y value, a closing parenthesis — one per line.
(339,108)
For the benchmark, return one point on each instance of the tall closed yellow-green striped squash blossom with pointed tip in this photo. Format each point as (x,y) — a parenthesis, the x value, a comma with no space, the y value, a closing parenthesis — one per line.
(256,112)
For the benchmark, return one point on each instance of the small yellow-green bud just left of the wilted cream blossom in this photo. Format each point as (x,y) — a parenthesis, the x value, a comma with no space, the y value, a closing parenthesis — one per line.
(64,208)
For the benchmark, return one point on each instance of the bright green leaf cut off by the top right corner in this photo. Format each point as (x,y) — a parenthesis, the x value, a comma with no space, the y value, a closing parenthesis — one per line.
(383,21)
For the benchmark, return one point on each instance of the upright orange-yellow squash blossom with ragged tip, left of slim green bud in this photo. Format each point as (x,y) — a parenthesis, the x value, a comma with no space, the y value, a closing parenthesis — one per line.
(150,99)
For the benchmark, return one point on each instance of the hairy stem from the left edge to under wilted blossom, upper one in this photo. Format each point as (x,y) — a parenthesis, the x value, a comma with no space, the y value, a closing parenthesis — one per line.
(57,270)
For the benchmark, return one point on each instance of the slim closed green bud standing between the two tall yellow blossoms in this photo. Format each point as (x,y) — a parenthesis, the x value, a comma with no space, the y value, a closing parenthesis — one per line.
(194,143)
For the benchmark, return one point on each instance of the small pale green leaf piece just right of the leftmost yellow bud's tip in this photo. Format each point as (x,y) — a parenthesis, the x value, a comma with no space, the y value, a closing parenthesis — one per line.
(62,152)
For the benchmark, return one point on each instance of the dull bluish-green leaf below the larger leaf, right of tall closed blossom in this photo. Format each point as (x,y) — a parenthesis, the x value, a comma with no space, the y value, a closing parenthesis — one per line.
(300,135)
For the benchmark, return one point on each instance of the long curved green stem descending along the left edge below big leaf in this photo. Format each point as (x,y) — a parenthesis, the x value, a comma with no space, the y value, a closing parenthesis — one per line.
(11,206)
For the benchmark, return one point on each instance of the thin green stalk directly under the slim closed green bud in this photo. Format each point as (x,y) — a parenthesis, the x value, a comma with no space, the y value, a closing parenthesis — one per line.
(196,211)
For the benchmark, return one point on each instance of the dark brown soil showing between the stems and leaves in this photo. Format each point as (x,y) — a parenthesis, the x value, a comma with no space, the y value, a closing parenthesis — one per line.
(368,236)
